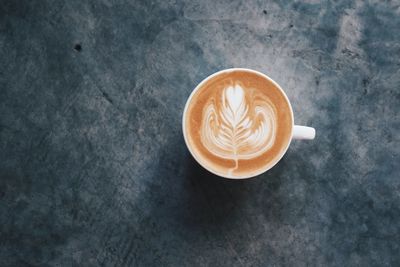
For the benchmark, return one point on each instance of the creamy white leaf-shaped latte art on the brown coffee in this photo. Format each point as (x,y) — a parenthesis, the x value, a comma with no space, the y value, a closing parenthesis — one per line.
(236,126)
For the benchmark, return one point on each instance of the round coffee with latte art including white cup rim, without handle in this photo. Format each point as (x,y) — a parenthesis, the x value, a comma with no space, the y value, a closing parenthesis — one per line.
(238,123)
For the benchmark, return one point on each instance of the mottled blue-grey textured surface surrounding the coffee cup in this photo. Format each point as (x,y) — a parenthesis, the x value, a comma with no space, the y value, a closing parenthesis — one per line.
(93,166)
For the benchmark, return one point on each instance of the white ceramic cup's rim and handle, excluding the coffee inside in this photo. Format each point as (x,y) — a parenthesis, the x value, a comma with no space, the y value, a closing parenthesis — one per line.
(298,132)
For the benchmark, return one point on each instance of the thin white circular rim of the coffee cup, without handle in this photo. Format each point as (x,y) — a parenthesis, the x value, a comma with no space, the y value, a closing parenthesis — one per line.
(188,101)
